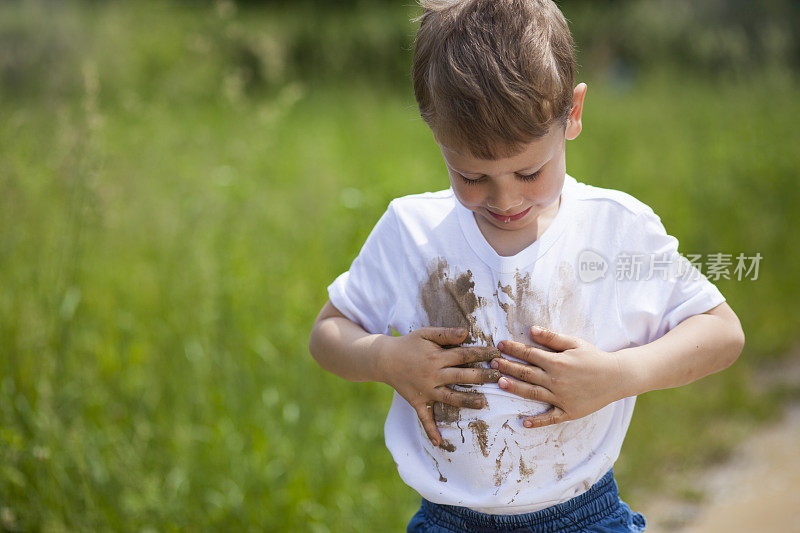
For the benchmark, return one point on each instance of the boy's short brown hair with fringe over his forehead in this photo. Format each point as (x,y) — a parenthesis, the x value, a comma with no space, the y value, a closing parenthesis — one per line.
(492,75)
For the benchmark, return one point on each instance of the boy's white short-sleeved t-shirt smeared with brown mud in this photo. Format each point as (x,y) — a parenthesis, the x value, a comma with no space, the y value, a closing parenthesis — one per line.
(426,263)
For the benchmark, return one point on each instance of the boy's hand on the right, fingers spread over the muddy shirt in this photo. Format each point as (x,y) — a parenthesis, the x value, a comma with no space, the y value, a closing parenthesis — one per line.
(576,378)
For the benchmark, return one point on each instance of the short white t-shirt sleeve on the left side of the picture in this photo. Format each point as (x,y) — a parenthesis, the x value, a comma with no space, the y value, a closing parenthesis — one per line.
(366,293)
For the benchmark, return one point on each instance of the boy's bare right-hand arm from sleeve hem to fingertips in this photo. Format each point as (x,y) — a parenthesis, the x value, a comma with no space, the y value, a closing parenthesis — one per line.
(578,378)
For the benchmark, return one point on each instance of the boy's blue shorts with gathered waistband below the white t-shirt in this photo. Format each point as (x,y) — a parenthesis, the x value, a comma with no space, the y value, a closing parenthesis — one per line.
(599,509)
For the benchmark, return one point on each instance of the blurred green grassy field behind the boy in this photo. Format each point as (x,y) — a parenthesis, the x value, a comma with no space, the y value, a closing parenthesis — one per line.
(169,225)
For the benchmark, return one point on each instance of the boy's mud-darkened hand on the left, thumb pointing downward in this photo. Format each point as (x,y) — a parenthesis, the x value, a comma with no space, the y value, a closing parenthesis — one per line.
(420,365)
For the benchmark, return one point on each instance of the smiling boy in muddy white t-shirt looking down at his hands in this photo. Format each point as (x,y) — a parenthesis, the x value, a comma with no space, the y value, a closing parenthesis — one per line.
(513,244)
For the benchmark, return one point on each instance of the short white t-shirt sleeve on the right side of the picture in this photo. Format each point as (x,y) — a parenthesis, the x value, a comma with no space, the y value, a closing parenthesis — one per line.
(657,287)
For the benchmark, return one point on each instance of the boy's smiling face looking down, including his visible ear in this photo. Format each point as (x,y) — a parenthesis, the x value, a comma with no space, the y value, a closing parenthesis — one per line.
(511,193)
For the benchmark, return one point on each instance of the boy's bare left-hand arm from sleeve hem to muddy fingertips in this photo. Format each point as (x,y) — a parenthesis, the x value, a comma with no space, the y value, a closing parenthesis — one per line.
(419,365)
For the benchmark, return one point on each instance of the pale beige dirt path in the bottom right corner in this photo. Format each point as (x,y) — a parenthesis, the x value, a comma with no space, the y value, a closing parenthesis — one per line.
(757,490)
